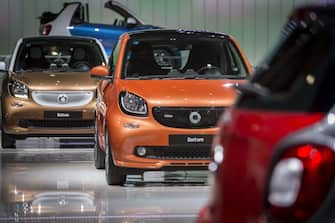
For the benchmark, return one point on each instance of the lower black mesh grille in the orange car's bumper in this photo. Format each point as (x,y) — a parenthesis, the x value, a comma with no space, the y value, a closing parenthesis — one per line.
(178,153)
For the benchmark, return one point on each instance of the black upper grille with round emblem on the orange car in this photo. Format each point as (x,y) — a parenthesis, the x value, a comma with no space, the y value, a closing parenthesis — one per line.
(189,118)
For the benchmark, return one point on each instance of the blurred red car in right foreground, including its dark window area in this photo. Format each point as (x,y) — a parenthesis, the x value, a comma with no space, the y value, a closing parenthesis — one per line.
(270,111)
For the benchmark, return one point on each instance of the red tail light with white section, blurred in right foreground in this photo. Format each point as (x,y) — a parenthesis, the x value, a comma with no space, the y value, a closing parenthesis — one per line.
(299,182)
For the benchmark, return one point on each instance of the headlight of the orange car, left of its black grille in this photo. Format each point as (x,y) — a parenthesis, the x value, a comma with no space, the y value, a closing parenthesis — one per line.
(132,104)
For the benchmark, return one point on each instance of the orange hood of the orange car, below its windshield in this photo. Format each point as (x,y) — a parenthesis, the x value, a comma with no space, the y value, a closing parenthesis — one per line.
(204,93)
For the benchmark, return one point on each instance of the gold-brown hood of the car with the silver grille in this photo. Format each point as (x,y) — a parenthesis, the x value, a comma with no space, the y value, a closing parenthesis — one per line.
(57,81)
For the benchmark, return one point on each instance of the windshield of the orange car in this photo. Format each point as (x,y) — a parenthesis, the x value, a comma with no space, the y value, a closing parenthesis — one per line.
(183,58)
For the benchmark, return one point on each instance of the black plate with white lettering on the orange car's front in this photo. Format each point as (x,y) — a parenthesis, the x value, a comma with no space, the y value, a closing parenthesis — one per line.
(190,139)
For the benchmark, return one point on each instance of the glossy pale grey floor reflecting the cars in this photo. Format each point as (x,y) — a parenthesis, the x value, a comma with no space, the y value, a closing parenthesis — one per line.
(62,185)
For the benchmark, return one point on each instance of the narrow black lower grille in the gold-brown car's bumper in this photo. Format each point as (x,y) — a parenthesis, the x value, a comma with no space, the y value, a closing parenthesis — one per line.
(57,123)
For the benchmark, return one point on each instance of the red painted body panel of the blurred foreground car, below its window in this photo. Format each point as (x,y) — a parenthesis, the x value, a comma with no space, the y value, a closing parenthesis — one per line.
(252,146)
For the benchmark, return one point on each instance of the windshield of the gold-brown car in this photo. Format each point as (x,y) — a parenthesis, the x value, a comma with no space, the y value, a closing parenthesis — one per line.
(58,56)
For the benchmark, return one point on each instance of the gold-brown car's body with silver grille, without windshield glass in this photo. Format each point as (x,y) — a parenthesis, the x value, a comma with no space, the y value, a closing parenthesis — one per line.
(58,103)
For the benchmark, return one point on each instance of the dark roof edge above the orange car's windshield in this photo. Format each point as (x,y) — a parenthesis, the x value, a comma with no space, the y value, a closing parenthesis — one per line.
(167,32)
